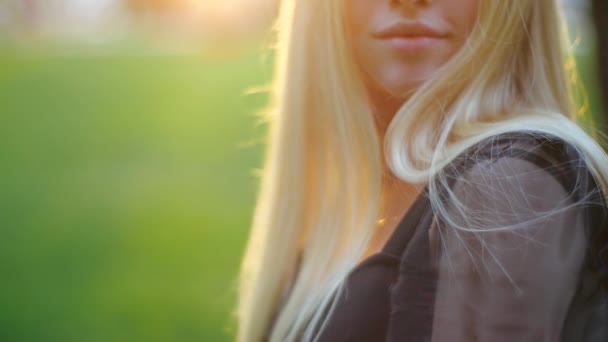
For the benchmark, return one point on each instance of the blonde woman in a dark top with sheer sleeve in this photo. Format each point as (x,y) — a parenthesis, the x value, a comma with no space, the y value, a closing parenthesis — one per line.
(425,179)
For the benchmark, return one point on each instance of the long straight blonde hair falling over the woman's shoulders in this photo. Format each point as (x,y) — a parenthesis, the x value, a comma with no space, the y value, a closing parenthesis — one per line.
(321,185)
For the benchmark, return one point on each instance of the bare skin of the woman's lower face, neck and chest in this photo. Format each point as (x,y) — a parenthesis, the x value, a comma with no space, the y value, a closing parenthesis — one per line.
(397,45)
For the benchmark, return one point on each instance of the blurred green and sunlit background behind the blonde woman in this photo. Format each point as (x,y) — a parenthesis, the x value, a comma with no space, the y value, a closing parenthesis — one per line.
(129,146)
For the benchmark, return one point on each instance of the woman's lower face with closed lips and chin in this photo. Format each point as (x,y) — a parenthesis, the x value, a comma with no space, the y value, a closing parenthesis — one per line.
(398,44)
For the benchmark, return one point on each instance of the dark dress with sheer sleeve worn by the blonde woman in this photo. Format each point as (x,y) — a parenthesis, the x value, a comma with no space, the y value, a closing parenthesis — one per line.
(543,280)
